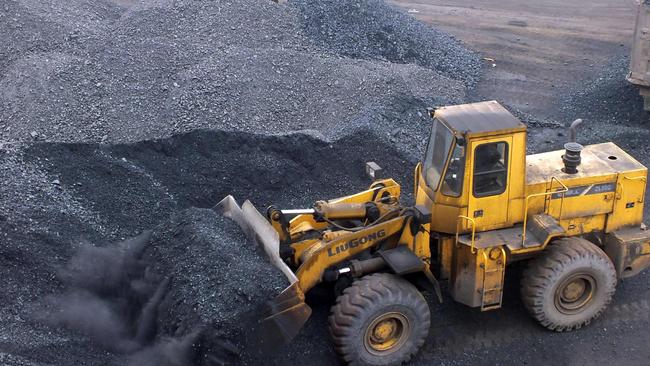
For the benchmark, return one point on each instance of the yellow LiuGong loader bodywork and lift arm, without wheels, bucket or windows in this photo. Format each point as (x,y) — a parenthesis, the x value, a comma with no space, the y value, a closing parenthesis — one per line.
(605,197)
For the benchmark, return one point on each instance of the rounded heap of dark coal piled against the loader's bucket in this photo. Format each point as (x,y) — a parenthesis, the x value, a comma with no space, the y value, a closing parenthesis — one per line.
(219,282)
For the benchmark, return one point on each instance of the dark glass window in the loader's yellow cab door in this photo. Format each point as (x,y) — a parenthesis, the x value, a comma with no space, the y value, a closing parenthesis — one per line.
(490,169)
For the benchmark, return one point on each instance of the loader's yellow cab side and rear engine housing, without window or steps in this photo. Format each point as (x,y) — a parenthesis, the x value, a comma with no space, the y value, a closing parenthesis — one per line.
(581,213)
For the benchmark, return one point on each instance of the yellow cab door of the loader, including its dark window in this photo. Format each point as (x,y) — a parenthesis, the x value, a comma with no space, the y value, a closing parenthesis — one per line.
(489,179)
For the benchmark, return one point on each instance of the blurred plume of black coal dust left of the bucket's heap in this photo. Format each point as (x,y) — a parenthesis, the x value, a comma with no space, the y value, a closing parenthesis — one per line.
(108,295)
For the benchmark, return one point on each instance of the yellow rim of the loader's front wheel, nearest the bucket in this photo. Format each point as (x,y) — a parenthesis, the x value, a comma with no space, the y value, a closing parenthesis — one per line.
(387,333)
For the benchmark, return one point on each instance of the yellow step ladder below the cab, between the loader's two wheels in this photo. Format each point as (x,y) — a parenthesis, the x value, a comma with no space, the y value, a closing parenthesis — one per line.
(493,280)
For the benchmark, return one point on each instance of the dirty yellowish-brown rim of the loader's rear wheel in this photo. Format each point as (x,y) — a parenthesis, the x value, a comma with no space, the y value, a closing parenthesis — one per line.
(575,293)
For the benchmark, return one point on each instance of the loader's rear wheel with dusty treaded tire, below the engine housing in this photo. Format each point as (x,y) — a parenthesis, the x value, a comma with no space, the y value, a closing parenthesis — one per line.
(569,285)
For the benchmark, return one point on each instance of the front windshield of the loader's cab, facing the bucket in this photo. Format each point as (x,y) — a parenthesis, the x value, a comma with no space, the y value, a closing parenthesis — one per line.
(437,151)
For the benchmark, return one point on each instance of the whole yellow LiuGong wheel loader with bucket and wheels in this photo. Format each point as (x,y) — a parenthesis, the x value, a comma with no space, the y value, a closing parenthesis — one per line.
(481,203)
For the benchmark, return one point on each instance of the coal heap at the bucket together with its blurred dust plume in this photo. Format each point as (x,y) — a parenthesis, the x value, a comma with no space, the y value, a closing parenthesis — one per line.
(190,293)
